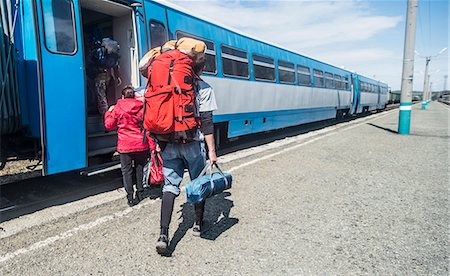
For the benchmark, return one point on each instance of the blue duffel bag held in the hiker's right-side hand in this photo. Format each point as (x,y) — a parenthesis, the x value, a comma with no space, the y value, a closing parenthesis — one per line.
(207,185)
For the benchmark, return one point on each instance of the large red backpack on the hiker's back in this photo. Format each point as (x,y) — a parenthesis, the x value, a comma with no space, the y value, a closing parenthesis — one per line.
(170,99)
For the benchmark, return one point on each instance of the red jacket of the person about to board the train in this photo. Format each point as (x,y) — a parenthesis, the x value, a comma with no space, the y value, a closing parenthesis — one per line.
(127,116)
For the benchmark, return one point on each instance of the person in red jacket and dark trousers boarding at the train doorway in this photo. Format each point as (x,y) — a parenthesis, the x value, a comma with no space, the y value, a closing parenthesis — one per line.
(133,146)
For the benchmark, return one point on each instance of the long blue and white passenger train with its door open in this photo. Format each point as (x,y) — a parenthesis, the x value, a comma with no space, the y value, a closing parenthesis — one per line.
(259,86)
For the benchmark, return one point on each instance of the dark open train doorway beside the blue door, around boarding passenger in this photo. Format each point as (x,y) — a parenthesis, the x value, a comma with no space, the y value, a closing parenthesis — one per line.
(106,19)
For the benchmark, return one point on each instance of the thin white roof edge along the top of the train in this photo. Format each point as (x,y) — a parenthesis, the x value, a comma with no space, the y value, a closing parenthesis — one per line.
(212,21)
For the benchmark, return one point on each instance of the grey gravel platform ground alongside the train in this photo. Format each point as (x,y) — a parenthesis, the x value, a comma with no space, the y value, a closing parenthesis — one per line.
(362,201)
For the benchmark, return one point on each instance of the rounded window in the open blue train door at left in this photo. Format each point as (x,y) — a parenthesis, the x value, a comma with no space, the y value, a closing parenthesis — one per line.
(59,26)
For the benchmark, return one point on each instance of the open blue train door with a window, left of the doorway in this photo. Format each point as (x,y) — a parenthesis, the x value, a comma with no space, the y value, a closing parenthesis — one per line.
(62,96)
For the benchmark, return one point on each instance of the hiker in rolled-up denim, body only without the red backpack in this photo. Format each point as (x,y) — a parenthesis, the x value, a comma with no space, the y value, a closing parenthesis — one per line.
(190,155)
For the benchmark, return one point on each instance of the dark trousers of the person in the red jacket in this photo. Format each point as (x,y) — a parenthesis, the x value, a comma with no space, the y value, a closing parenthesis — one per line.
(126,161)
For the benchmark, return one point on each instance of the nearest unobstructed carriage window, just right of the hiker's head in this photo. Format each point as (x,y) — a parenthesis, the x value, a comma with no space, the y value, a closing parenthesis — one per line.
(234,62)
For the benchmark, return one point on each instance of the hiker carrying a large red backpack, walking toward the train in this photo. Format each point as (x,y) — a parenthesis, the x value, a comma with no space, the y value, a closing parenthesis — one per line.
(179,108)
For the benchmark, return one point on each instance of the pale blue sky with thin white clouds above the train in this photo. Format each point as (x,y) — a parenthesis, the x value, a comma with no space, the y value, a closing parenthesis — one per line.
(362,36)
